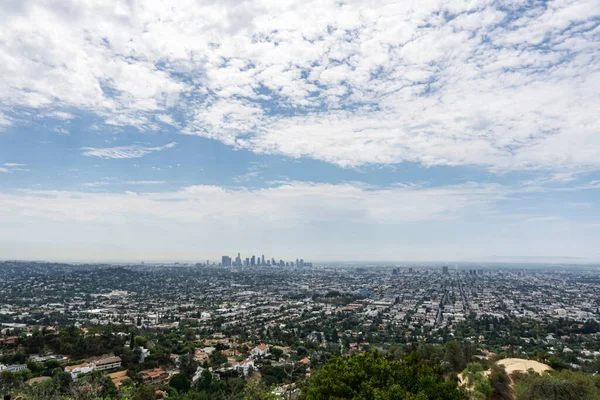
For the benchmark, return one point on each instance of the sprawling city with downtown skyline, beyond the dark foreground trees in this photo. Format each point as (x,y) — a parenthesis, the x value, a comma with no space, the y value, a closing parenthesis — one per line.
(153,325)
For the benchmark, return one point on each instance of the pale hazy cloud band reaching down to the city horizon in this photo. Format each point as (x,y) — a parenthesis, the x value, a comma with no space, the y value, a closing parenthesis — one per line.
(342,221)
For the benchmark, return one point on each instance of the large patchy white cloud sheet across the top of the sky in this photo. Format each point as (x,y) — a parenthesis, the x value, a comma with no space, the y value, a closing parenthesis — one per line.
(501,84)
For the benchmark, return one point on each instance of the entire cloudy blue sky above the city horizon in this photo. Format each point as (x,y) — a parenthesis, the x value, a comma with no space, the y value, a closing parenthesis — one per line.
(324,130)
